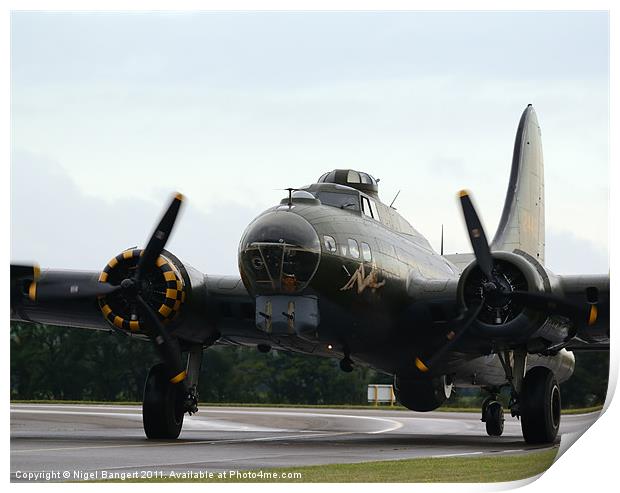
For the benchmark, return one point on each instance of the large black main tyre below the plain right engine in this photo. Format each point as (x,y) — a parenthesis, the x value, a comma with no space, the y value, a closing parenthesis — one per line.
(540,406)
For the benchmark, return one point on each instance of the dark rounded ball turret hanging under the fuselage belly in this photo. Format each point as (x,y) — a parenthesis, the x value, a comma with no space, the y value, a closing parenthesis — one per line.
(422,395)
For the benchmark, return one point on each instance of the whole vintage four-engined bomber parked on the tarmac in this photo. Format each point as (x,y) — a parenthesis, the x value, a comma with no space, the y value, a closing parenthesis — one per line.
(333,271)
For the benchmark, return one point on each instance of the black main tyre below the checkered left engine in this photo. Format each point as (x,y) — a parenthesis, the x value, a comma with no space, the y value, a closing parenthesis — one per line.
(162,407)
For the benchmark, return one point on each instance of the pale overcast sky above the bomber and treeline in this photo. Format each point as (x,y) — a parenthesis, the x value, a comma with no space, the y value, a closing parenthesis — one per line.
(112,112)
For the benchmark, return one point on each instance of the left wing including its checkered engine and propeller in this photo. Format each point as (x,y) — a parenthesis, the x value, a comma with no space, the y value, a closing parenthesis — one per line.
(148,293)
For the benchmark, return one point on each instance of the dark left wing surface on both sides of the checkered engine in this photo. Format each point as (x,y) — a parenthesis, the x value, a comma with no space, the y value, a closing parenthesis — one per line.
(215,307)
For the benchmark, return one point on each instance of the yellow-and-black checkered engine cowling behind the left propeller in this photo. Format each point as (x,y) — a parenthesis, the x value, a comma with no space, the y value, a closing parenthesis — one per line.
(163,288)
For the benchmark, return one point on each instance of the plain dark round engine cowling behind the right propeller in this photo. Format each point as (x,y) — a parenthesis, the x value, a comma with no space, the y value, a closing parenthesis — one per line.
(501,316)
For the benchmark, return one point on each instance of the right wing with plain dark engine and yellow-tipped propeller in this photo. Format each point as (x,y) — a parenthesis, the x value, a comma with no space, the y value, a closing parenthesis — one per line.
(511,301)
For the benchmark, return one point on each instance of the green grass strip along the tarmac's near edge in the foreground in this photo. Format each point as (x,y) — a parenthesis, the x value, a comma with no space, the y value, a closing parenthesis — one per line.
(485,469)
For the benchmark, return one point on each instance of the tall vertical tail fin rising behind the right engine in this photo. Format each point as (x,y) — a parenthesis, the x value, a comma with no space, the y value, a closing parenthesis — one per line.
(522,225)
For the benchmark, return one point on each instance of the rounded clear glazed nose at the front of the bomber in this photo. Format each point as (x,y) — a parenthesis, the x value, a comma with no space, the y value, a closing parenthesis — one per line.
(279,253)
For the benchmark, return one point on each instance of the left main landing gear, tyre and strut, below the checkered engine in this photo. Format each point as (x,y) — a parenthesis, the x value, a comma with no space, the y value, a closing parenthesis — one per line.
(165,403)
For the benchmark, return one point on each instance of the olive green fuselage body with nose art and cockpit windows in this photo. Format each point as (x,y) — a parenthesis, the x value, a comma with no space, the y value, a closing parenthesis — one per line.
(364,280)
